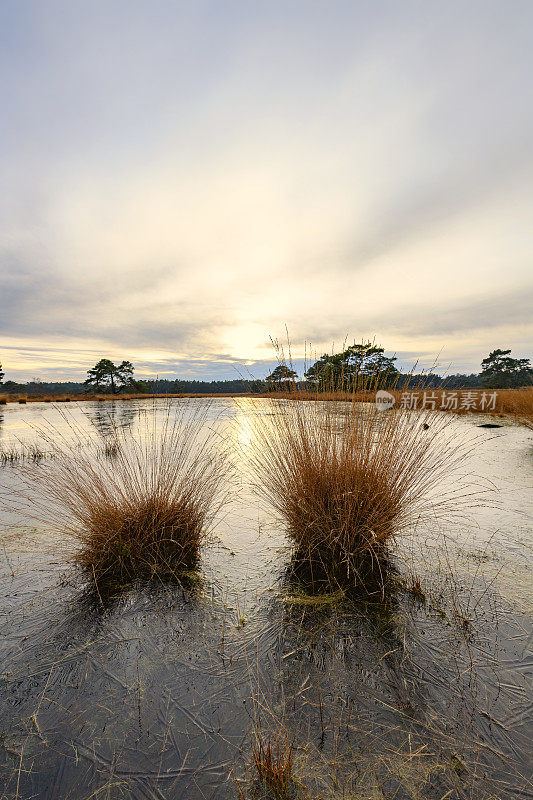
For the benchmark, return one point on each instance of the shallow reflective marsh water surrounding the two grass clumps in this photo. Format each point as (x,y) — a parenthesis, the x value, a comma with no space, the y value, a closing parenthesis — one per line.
(156,690)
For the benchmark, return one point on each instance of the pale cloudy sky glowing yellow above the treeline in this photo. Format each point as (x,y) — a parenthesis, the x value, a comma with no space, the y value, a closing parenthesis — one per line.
(182,181)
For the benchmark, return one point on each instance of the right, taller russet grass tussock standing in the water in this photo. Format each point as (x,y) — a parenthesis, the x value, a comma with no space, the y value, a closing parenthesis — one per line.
(347,478)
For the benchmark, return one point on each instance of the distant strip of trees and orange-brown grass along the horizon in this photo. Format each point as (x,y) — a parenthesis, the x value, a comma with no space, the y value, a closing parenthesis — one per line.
(353,373)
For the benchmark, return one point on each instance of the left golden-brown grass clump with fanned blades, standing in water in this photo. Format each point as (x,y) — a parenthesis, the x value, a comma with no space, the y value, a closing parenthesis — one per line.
(141,504)
